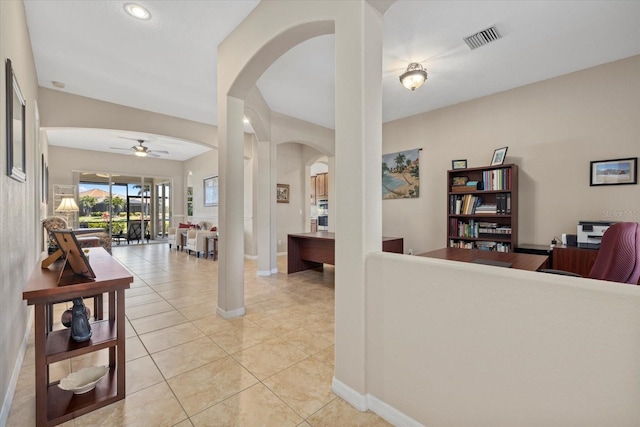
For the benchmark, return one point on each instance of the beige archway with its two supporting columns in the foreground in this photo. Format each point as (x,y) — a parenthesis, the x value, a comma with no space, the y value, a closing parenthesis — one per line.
(270,30)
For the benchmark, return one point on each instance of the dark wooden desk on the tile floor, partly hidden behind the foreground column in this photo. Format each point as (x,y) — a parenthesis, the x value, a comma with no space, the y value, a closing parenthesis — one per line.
(306,251)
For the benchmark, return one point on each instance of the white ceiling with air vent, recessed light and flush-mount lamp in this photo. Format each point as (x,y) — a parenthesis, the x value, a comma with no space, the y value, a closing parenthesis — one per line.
(168,64)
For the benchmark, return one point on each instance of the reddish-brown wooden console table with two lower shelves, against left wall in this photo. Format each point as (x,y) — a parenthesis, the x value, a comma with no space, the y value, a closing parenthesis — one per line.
(54,405)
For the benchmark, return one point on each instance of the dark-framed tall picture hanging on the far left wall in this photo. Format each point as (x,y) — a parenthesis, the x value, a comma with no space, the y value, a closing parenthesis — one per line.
(16,145)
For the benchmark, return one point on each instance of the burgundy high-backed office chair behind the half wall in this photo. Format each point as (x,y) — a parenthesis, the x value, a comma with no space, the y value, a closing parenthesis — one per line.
(618,258)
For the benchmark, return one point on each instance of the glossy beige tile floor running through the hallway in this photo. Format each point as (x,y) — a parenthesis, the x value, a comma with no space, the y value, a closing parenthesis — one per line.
(186,366)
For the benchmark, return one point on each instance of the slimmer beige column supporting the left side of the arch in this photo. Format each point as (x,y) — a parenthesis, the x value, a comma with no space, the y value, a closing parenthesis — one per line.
(231,210)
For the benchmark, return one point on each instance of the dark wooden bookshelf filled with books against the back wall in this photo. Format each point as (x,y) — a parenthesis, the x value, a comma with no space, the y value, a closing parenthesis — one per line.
(482,208)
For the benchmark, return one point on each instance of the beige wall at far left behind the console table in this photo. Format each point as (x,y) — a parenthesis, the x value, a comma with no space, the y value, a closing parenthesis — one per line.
(19,204)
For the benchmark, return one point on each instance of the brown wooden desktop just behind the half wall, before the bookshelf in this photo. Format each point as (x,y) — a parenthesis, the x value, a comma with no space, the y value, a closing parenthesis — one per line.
(517,260)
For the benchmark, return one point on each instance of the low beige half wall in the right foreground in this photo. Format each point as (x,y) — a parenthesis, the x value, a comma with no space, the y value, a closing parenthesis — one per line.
(460,344)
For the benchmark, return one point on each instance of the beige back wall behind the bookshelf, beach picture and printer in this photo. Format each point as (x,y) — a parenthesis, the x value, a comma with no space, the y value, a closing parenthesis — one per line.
(553,129)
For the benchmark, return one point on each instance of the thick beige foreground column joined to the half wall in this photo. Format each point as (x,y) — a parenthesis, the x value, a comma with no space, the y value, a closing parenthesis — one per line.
(358,205)
